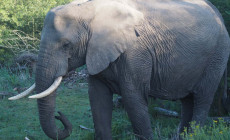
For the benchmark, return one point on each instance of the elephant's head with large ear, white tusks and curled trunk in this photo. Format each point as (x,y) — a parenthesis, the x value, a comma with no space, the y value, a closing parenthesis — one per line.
(70,39)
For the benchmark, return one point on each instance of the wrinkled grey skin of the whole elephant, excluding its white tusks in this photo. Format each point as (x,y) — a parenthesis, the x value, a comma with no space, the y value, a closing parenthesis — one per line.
(169,49)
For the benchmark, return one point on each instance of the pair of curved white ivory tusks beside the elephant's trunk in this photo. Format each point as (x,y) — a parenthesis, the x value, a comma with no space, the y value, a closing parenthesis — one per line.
(45,93)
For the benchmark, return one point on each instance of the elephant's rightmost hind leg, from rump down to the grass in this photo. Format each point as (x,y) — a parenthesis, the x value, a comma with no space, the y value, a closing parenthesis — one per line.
(205,89)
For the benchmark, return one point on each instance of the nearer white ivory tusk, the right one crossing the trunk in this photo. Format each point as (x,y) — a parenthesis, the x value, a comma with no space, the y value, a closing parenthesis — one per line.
(50,90)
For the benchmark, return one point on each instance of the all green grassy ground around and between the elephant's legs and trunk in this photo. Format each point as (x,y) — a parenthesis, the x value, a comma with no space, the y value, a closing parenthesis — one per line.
(19,119)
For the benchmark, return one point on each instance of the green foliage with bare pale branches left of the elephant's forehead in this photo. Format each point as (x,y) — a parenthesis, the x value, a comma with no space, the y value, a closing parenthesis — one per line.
(21,22)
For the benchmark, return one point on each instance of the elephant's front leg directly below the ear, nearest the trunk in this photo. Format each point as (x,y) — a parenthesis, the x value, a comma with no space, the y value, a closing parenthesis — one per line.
(101,106)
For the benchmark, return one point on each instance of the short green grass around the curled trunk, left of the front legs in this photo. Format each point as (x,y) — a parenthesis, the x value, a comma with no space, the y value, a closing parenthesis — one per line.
(19,119)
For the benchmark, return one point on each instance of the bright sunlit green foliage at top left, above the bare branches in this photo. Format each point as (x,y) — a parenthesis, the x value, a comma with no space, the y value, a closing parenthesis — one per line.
(26,15)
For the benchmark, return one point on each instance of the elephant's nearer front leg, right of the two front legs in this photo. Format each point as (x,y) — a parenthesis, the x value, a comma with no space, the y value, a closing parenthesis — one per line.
(136,105)
